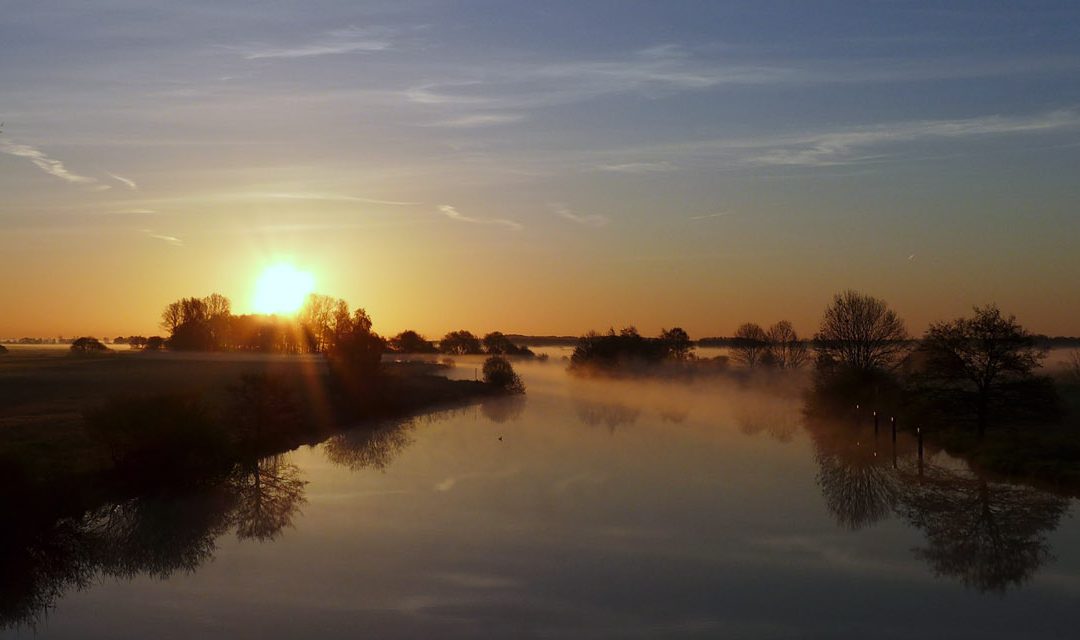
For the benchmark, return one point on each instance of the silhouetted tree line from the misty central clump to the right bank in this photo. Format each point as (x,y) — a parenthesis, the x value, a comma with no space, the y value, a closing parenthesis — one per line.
(984,364)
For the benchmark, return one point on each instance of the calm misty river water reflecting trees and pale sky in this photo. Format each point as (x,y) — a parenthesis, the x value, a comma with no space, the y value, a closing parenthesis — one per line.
(591,510)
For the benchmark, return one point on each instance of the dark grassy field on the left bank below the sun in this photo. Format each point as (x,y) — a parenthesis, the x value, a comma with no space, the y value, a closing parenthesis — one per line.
(61,414)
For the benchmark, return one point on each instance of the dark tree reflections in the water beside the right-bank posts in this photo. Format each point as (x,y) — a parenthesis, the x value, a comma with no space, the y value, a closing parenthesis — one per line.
(990,536)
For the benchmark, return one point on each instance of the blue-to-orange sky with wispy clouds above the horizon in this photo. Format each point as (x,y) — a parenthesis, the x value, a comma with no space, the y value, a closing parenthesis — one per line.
(542,168)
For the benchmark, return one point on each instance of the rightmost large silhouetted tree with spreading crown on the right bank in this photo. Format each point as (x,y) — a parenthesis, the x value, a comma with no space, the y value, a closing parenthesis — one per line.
(984,357)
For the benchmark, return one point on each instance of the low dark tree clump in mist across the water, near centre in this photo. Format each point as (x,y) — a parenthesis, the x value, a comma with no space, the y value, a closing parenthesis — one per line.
(629,348)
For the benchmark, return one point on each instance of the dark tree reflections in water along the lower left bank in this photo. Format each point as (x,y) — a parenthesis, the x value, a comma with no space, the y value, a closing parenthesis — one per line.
(44,556)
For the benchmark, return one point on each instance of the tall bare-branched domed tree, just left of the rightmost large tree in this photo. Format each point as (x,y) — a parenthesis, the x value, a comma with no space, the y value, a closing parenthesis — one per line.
(860,334)
